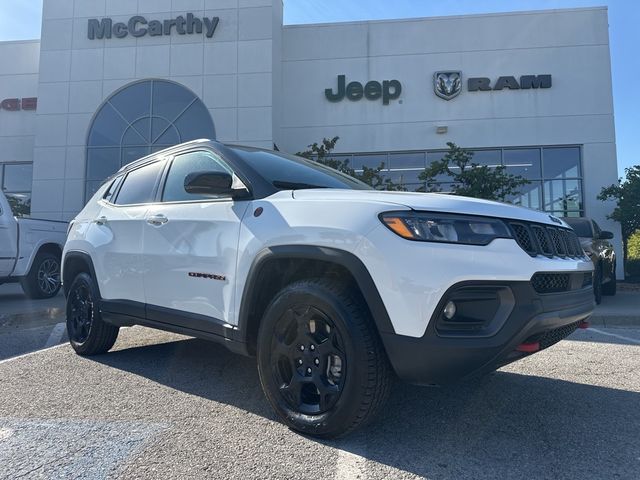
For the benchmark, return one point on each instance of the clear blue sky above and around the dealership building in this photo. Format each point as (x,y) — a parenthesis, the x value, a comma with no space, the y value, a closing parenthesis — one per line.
(21,20)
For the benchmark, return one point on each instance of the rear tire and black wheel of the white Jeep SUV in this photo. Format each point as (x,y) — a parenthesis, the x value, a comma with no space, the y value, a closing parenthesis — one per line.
(88,333)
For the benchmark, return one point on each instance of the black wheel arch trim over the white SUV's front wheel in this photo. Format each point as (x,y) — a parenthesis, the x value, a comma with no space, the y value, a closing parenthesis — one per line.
(311,252)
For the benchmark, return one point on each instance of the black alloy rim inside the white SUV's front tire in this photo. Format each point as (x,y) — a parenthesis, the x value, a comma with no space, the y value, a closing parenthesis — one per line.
(308,360)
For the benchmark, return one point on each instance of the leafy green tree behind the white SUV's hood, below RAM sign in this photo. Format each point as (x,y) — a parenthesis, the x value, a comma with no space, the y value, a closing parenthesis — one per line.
(471,179)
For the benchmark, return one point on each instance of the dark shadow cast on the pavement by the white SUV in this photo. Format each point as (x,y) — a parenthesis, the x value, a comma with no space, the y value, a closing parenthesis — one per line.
(504,425)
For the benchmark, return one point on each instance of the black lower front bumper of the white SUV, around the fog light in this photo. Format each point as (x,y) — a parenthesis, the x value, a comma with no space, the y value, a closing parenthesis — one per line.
(440,358)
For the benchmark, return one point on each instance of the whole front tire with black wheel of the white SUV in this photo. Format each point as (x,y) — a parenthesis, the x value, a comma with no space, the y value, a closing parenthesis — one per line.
(341,378)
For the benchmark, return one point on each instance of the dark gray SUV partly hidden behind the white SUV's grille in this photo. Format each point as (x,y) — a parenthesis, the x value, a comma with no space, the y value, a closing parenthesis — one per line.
(595,242)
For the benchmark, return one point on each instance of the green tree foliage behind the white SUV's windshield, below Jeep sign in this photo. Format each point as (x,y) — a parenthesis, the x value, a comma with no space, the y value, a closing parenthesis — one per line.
(321,153)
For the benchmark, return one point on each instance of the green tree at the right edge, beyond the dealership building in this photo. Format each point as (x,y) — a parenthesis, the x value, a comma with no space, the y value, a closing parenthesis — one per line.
(627,196)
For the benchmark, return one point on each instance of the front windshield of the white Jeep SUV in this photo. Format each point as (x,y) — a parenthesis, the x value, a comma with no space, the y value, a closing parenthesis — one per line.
(288,172)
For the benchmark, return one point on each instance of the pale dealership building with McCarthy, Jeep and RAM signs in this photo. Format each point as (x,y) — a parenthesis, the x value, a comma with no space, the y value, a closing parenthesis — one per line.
(113,80)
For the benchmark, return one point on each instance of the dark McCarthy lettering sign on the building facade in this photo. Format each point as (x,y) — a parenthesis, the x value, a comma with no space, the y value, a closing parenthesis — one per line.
(138,26)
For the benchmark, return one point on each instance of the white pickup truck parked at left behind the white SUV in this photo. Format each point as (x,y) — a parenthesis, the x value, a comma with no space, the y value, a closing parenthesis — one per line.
(30,252)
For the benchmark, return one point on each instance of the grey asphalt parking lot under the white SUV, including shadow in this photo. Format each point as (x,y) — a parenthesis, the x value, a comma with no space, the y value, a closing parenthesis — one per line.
(165,406)
